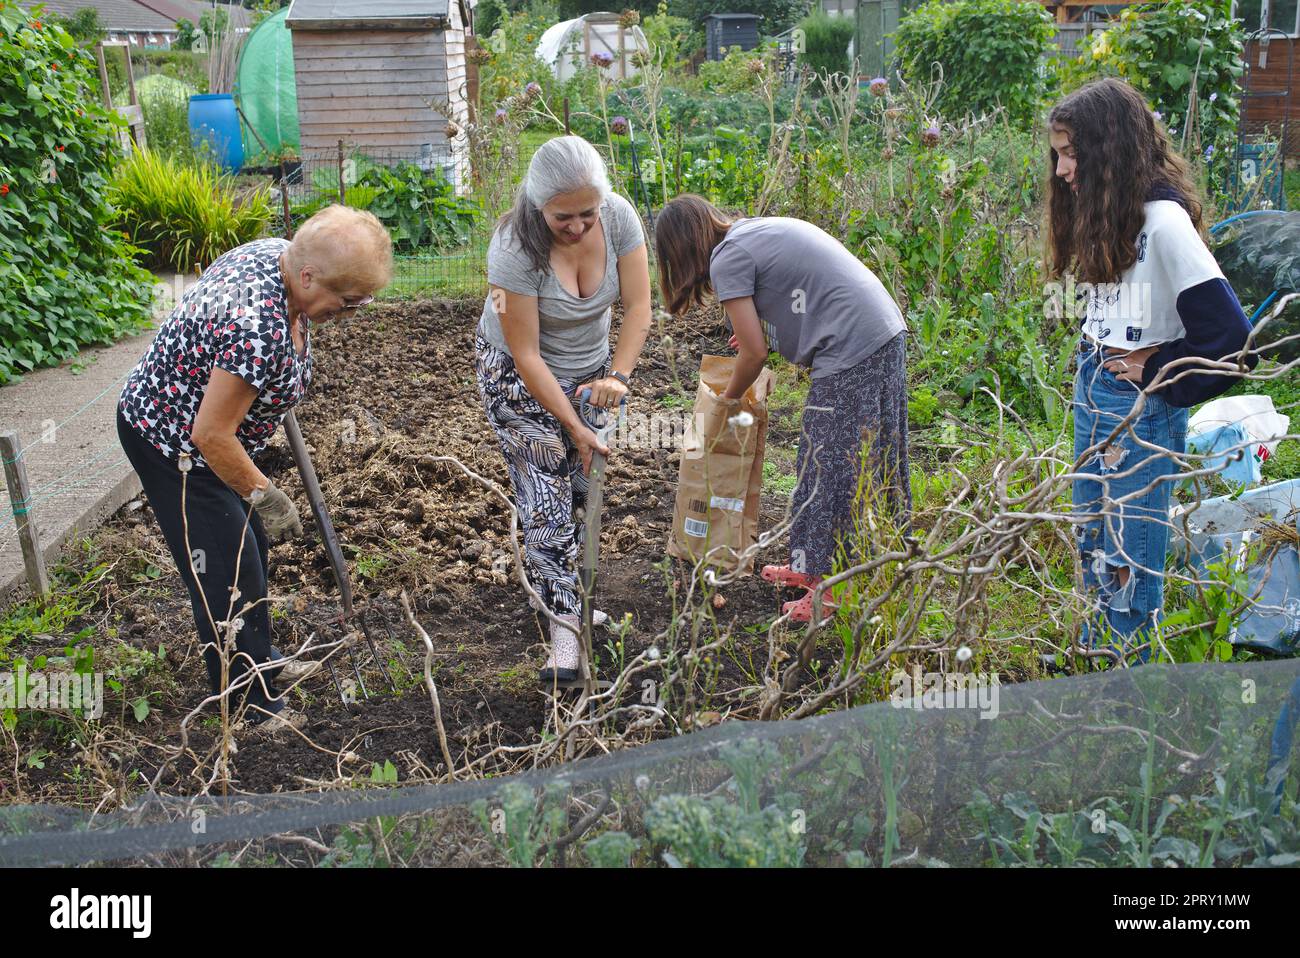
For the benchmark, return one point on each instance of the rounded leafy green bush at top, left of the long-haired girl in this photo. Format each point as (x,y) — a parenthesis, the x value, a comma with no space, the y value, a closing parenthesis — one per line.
(991,53)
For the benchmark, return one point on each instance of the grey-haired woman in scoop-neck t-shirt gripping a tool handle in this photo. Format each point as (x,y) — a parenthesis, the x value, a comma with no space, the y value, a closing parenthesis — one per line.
(556,265)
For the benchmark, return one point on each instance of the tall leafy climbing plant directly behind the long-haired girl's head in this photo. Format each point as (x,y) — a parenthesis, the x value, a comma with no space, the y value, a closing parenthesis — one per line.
(1162,50)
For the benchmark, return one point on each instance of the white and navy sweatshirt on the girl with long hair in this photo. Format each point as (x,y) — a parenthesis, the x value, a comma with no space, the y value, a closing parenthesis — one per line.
(1175,297)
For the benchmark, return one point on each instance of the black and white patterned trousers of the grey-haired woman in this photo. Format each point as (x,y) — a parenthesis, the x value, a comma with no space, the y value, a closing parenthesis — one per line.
(545,470)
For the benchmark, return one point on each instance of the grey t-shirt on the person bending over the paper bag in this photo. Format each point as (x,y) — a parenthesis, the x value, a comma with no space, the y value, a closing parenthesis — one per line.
(818,305)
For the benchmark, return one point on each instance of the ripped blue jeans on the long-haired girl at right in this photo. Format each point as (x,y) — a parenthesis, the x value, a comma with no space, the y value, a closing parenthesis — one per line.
(1124,492)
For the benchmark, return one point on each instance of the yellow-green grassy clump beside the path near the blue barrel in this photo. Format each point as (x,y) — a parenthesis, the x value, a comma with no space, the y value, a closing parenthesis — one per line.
(185,216)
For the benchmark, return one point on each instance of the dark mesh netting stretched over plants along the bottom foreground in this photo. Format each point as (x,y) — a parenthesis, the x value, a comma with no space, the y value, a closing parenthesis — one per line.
(1163,765)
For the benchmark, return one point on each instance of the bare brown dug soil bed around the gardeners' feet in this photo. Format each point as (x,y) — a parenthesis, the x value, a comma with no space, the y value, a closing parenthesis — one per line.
(393,391)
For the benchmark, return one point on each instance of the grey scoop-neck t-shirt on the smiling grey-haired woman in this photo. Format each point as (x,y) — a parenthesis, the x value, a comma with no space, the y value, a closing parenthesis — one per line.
(574,332)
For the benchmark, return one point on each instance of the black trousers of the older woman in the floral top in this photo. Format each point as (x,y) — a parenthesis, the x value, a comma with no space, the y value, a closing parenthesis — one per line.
(220,536)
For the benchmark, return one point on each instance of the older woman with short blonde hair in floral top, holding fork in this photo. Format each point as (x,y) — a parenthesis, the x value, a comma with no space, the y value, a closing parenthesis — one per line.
(231,361)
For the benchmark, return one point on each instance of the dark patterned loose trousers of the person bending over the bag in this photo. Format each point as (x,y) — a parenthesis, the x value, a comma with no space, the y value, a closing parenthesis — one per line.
(855,439)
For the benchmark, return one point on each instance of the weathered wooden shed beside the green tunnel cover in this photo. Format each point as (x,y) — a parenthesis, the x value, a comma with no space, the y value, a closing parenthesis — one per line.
(367,72)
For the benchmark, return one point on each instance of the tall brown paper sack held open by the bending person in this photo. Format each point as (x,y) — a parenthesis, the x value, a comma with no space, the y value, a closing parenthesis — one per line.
(721,478)
